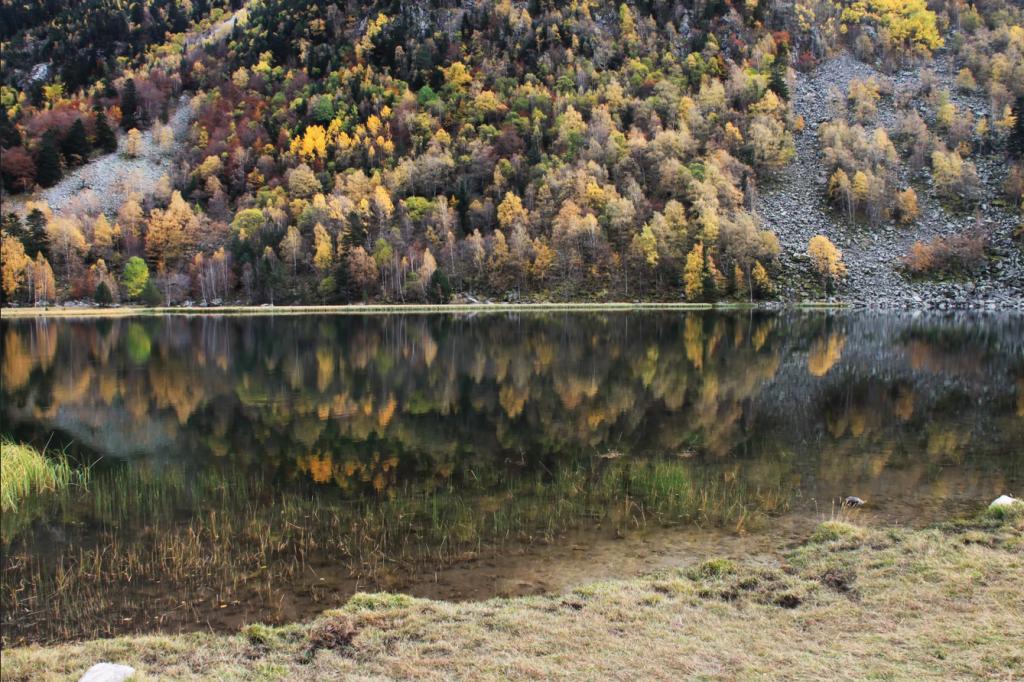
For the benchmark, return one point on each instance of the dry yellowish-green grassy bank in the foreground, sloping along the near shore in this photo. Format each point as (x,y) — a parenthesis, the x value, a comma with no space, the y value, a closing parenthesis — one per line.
(851,603)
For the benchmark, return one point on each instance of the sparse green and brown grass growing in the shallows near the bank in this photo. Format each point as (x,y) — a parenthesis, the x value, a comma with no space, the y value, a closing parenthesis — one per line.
(250,541)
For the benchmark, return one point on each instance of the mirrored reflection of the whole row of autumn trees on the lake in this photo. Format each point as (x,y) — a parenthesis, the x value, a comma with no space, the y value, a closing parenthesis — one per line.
(365,402)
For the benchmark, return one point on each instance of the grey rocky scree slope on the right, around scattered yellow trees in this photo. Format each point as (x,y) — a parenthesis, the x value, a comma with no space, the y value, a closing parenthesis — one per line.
(794,206)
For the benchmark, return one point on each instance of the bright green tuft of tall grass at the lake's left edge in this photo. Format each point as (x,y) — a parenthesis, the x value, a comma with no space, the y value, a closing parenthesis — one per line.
(26,473)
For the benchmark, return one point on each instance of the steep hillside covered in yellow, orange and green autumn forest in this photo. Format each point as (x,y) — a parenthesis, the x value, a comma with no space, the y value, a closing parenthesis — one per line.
(516,151)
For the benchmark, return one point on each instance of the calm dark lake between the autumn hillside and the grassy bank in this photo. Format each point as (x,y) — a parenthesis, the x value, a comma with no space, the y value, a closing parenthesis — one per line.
(265,468)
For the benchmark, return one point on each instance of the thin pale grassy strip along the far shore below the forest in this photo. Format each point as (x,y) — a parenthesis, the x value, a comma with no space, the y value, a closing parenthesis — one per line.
(123,312)
